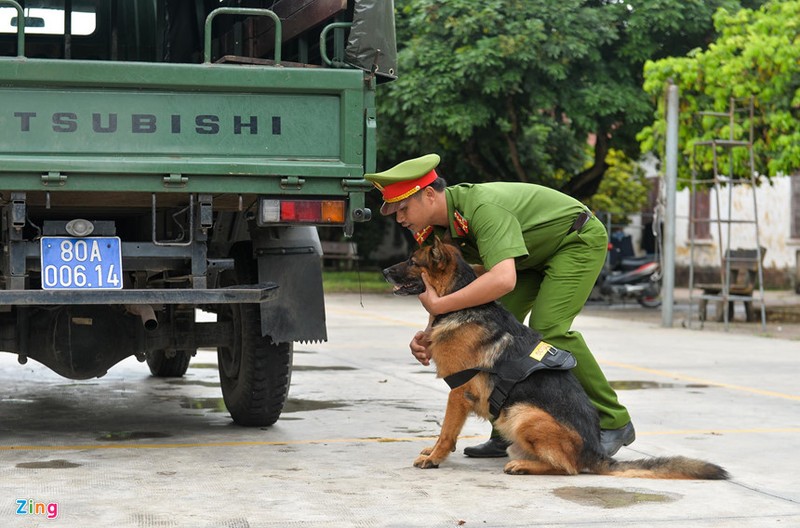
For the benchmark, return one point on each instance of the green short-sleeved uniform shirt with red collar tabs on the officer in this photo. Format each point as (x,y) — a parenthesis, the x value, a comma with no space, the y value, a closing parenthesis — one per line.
(523,221)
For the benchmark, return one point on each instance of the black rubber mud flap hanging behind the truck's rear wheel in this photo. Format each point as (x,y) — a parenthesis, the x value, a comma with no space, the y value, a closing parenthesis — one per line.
(297,312)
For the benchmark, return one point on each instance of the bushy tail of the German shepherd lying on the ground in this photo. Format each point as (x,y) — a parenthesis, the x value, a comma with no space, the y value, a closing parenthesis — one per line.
(662,468)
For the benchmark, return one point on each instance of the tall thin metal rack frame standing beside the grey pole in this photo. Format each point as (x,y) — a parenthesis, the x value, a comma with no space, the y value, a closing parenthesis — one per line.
(719,182)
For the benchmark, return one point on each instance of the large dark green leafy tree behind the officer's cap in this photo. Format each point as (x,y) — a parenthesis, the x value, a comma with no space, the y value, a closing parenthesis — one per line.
(512,89)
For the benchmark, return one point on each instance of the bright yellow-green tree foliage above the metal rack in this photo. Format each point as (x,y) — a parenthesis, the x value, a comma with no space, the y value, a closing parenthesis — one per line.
(757,55)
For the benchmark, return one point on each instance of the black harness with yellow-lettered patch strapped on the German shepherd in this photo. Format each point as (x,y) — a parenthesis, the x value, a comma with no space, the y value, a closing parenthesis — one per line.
(510,371)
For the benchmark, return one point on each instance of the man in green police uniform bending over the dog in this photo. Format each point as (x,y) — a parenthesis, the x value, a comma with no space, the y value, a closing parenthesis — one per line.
(537,251)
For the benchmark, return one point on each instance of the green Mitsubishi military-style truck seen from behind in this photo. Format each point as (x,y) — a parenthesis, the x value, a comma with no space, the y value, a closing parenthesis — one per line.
(164,157)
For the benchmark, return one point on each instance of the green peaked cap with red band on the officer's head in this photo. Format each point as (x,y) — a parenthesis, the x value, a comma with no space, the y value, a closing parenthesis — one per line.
(403,180)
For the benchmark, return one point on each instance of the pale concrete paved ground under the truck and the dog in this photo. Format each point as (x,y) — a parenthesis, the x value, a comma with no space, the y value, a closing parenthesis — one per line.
(128,450)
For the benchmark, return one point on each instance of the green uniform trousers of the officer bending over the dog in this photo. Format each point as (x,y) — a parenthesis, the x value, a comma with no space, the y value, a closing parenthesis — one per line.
(555,295)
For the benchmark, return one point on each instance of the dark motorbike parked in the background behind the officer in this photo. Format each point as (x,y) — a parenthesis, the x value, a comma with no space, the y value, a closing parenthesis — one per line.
(627,277)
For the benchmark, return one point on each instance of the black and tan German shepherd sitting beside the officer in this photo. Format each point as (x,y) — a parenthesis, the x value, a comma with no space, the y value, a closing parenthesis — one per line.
(548,418)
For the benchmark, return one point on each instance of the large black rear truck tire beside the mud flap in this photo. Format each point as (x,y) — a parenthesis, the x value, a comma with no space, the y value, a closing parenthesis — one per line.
(254,373)
